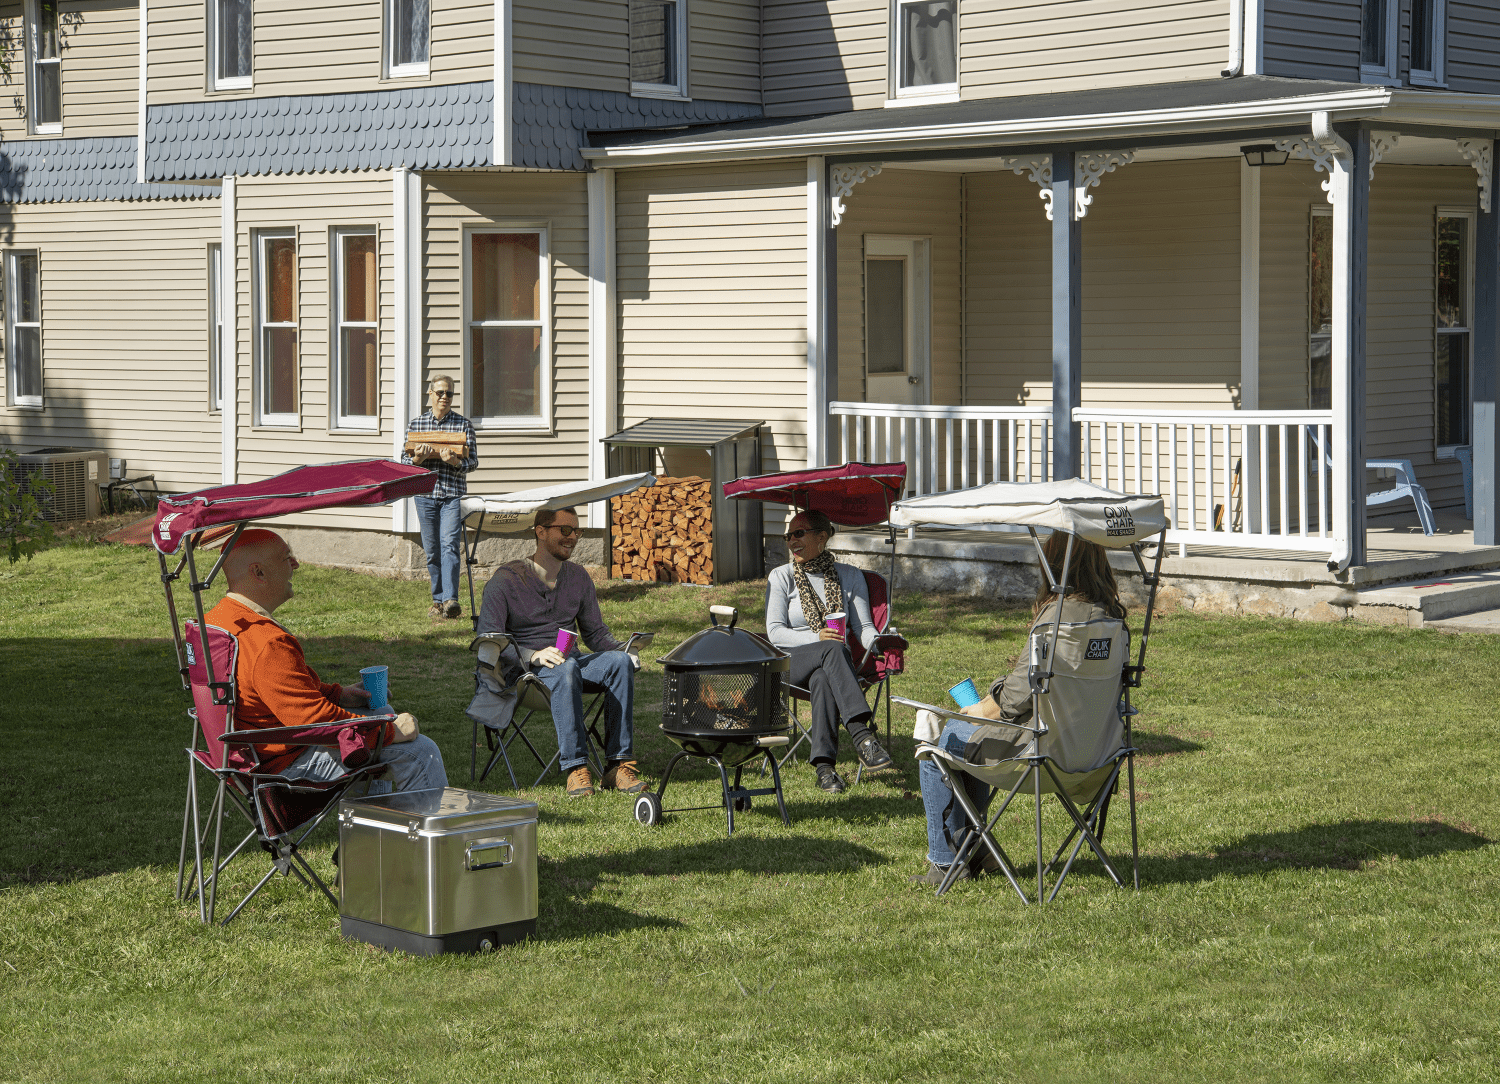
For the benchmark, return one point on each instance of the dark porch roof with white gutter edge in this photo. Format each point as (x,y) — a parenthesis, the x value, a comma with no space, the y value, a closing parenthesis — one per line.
(1099,118)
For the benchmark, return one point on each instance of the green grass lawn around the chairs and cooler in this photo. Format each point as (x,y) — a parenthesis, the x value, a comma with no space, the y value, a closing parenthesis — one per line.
(1319,882)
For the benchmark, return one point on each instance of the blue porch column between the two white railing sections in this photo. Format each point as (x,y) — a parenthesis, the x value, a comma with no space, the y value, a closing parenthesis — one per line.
(1067,319)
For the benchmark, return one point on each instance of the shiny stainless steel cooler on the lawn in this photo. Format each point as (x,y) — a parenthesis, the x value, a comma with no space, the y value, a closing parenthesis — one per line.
(433,872)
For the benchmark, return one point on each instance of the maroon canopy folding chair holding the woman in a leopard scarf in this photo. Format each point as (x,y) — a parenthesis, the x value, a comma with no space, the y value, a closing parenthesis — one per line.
(850,496)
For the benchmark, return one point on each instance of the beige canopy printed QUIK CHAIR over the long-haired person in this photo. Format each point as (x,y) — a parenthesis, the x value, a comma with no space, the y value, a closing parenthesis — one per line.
(1072,505)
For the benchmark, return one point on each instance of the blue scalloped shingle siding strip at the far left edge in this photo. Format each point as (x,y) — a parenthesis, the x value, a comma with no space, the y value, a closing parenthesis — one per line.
(52,172)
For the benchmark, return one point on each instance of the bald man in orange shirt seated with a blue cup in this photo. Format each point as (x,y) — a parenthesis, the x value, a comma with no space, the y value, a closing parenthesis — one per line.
(275,687)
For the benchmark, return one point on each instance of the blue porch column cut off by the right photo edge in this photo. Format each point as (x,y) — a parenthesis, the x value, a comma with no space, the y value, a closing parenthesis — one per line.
(1486,424)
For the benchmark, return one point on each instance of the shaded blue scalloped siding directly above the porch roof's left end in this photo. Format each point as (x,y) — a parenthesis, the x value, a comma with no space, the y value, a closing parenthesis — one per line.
(548,124)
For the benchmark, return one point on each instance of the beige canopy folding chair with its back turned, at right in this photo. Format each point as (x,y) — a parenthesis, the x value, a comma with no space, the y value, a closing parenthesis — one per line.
(1079,735)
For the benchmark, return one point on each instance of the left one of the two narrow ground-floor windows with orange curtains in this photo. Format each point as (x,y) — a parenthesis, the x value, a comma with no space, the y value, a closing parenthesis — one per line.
(277,329)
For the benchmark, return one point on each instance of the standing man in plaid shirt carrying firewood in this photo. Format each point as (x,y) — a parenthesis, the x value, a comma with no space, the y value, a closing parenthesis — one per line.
(452,452)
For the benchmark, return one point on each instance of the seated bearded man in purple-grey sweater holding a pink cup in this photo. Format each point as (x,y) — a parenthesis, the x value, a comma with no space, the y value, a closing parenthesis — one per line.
(535,599)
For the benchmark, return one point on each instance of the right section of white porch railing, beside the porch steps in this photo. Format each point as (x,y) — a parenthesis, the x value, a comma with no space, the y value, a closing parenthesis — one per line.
(1244,479)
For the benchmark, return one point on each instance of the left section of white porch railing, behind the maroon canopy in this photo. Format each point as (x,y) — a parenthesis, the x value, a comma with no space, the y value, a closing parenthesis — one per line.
(949,448)
